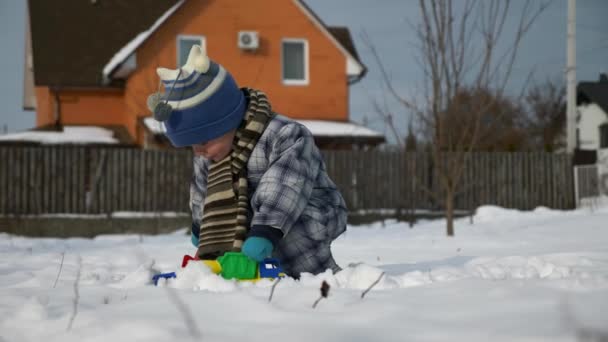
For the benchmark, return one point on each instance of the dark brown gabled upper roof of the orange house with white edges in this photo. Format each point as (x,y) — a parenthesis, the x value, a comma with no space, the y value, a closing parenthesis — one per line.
(99,35)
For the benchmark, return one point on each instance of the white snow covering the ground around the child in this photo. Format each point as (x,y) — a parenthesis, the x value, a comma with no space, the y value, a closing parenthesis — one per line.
(509,276)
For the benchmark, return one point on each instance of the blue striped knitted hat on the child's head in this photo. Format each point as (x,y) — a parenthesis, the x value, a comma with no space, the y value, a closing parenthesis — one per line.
(201,102)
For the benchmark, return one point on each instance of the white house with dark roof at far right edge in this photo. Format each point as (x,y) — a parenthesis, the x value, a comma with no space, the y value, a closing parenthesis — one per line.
(592,119)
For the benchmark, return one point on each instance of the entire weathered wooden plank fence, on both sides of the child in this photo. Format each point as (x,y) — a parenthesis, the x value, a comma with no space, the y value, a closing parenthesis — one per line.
(73,179)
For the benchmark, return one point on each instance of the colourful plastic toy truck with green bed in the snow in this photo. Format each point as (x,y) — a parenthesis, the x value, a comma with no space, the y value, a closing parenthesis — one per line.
(234,265)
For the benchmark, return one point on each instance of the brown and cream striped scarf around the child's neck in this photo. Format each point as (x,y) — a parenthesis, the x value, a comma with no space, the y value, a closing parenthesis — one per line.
(225,223)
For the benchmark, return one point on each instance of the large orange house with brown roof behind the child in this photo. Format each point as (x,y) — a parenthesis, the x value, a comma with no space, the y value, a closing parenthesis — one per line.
(93,62)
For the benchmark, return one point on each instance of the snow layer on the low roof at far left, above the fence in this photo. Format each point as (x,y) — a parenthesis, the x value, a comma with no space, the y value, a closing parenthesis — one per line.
(70,135)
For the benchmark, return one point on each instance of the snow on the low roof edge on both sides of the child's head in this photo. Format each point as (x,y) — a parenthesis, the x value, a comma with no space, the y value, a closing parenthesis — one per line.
(318,128)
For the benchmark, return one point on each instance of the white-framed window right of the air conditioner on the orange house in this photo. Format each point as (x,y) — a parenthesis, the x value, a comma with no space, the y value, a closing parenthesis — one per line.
(294,56)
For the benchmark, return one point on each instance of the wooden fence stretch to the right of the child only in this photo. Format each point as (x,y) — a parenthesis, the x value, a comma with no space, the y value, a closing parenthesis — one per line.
(397,180)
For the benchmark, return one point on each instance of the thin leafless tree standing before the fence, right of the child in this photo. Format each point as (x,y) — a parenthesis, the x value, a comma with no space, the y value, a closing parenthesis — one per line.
(462,49)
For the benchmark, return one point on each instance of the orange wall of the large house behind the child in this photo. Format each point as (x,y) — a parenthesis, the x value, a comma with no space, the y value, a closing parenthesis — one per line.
(325,97)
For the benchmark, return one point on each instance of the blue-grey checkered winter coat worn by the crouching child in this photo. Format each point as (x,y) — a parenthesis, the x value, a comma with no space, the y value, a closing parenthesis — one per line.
(289,189)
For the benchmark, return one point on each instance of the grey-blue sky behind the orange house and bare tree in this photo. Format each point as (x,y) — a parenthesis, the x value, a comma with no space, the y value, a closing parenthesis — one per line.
(387,23)
